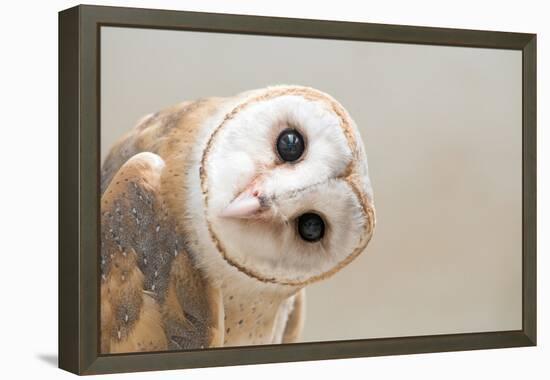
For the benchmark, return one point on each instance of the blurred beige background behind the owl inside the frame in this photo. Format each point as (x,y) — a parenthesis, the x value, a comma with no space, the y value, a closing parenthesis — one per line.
(442,128)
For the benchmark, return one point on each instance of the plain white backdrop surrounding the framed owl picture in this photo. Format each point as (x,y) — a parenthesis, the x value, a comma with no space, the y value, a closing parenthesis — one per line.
(29,188)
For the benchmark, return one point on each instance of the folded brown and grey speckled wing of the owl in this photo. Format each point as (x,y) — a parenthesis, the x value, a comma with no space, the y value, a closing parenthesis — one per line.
(152,296)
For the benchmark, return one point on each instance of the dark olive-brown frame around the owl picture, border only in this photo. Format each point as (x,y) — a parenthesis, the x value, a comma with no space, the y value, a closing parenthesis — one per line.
(79,165)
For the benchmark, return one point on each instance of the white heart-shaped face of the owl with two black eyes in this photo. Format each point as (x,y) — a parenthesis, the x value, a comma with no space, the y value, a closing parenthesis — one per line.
(286,189)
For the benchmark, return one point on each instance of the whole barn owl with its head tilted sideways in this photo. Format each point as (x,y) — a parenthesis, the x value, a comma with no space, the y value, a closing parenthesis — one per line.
(216,213)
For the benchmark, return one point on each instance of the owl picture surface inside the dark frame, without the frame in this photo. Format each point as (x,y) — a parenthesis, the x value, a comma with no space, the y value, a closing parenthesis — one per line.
(237,202)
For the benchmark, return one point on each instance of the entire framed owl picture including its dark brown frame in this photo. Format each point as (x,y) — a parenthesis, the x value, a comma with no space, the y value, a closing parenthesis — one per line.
(241,189)
